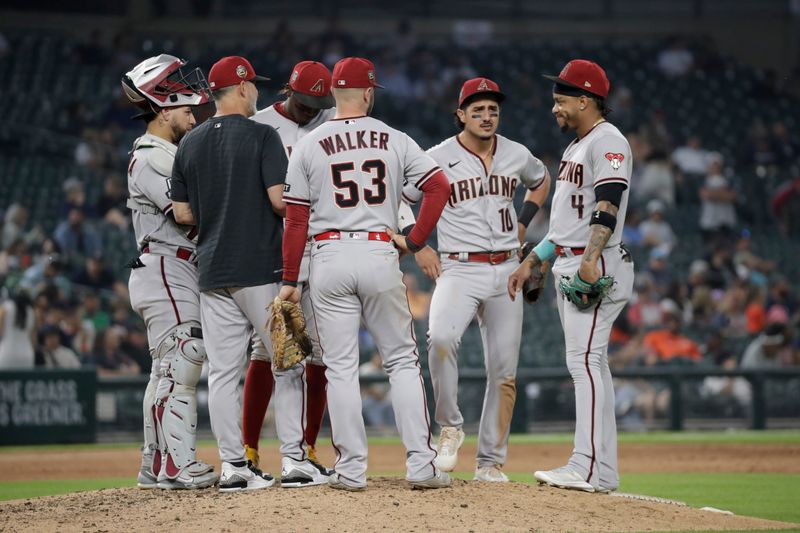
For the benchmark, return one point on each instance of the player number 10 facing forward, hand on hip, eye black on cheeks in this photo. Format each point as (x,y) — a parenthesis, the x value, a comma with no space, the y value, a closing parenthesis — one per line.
(478,249)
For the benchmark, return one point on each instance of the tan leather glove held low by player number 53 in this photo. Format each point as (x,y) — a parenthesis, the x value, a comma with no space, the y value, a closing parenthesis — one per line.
(290,343)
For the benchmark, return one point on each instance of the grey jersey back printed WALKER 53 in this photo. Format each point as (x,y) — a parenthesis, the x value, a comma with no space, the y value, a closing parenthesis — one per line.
(352,172)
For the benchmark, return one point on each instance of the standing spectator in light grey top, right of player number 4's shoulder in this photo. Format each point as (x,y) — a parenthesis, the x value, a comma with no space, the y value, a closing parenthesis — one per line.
(717,211)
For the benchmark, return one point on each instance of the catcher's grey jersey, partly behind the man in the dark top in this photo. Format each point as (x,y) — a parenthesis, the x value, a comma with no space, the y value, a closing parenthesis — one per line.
(149,170)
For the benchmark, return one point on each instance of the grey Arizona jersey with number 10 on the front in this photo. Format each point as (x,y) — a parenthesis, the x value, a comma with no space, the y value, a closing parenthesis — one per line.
(480,214)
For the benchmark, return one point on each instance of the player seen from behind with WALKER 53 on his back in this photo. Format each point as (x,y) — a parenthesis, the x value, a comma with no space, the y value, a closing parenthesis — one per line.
(343,188)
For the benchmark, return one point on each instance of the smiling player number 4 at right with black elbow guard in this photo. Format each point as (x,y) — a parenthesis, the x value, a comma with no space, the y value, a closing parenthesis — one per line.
(586,222)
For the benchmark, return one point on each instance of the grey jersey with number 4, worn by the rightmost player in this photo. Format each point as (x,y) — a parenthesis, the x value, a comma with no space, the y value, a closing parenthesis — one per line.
(601,156)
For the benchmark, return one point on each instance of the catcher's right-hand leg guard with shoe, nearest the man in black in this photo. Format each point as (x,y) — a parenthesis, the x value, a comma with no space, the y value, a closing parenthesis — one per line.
(182,355)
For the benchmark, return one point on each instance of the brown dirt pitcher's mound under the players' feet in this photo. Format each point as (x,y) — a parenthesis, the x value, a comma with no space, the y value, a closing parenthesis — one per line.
(387,504)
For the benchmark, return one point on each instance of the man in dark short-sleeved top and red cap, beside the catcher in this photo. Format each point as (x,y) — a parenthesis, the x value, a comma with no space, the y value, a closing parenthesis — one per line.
(228,177)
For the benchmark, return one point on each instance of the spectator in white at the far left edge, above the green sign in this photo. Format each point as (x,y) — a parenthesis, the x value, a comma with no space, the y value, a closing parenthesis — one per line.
(17,327)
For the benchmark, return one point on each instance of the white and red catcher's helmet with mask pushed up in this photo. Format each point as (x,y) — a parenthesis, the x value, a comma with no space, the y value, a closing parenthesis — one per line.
(159,82)
